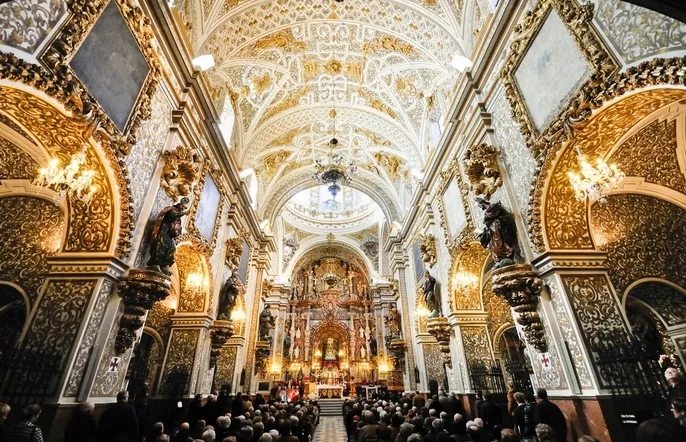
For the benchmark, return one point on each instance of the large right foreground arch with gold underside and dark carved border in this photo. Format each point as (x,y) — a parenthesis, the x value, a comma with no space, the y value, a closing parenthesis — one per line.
(595,123)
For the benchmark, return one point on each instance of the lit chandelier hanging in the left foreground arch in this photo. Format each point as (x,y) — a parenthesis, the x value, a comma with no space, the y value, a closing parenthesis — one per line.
(70,180)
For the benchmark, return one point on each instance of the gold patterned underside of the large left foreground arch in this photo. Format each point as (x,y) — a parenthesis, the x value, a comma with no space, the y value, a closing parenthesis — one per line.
(104,225)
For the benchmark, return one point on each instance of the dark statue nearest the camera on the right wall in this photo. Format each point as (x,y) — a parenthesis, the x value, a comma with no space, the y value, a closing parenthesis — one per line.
(500,233)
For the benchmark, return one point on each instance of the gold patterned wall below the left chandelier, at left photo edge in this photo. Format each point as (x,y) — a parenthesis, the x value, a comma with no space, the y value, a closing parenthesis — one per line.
(31,229)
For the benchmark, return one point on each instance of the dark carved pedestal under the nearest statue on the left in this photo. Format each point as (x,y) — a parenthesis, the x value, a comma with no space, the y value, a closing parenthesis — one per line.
(139,290)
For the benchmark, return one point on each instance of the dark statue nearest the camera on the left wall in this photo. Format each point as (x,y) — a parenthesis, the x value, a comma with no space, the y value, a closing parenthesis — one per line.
(166,228)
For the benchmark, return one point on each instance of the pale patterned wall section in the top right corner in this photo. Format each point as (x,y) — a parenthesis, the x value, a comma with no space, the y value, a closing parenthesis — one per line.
(637,33)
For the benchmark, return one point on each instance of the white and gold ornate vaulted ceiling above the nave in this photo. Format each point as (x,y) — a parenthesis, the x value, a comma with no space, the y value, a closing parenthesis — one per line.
(381,67)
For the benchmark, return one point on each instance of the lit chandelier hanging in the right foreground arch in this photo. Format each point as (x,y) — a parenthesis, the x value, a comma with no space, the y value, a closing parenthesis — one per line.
(595,181)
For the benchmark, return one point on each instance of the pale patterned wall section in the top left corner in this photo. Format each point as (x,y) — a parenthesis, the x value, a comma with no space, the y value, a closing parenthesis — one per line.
(24,24)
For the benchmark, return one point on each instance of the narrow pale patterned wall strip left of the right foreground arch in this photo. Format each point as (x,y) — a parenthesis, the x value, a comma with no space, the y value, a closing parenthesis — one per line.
(519,162)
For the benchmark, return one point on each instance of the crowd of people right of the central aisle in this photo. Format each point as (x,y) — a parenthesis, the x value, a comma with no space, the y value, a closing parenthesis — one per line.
(442,418)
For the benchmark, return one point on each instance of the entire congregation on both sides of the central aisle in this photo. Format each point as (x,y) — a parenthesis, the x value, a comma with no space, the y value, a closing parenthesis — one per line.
(388,418)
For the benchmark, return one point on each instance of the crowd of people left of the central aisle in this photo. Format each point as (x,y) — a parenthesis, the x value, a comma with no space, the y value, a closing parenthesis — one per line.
(217,418)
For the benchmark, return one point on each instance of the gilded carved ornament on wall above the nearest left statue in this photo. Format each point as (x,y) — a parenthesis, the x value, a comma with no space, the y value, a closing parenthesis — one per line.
(180,172)
